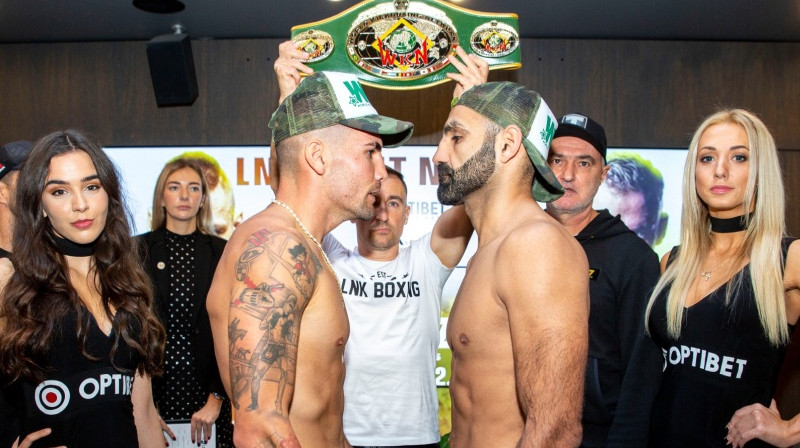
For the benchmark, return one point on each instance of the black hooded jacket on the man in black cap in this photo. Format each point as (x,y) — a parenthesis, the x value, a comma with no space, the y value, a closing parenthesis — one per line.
(623,271)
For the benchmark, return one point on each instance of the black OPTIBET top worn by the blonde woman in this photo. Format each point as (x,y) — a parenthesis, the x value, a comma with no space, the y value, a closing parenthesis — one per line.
(721,362)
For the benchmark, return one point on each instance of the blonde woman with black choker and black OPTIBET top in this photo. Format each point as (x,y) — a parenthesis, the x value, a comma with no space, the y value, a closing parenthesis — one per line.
(722,309)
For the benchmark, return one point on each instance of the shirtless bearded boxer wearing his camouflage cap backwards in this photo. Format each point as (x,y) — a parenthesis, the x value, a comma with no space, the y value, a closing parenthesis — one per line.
(518,327)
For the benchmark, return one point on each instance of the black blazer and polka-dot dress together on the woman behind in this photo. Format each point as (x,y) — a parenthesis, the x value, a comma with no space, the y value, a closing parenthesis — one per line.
(181,267)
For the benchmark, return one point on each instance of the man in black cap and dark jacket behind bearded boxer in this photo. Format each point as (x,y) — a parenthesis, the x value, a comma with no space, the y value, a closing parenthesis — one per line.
(622,272)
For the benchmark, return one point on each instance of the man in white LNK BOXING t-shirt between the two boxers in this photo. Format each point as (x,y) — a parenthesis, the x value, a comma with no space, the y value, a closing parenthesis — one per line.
(393,295)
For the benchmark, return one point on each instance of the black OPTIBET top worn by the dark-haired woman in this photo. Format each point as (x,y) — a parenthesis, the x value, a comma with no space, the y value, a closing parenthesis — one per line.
(86,403)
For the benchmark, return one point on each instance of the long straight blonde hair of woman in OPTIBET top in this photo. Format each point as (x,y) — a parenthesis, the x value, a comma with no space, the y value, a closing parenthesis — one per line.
(765,227)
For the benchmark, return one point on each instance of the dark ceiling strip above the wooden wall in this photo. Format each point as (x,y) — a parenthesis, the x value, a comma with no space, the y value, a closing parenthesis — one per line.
(114,20)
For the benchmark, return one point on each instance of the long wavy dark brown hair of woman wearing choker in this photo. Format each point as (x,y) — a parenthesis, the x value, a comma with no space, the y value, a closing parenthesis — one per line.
(39,292)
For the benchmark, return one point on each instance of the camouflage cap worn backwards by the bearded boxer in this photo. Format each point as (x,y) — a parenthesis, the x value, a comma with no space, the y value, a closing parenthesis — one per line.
(507,103)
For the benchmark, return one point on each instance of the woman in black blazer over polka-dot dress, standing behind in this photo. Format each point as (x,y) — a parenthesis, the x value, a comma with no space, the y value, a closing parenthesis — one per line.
(180,258)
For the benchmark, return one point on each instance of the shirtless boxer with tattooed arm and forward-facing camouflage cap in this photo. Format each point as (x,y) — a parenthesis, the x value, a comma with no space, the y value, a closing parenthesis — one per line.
(277,314)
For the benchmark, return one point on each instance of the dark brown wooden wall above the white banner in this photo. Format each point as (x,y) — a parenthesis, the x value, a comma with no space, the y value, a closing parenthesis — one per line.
(646,93)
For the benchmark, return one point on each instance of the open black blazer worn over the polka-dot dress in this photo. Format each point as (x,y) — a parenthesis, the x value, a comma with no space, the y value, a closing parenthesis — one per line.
(153,250)
